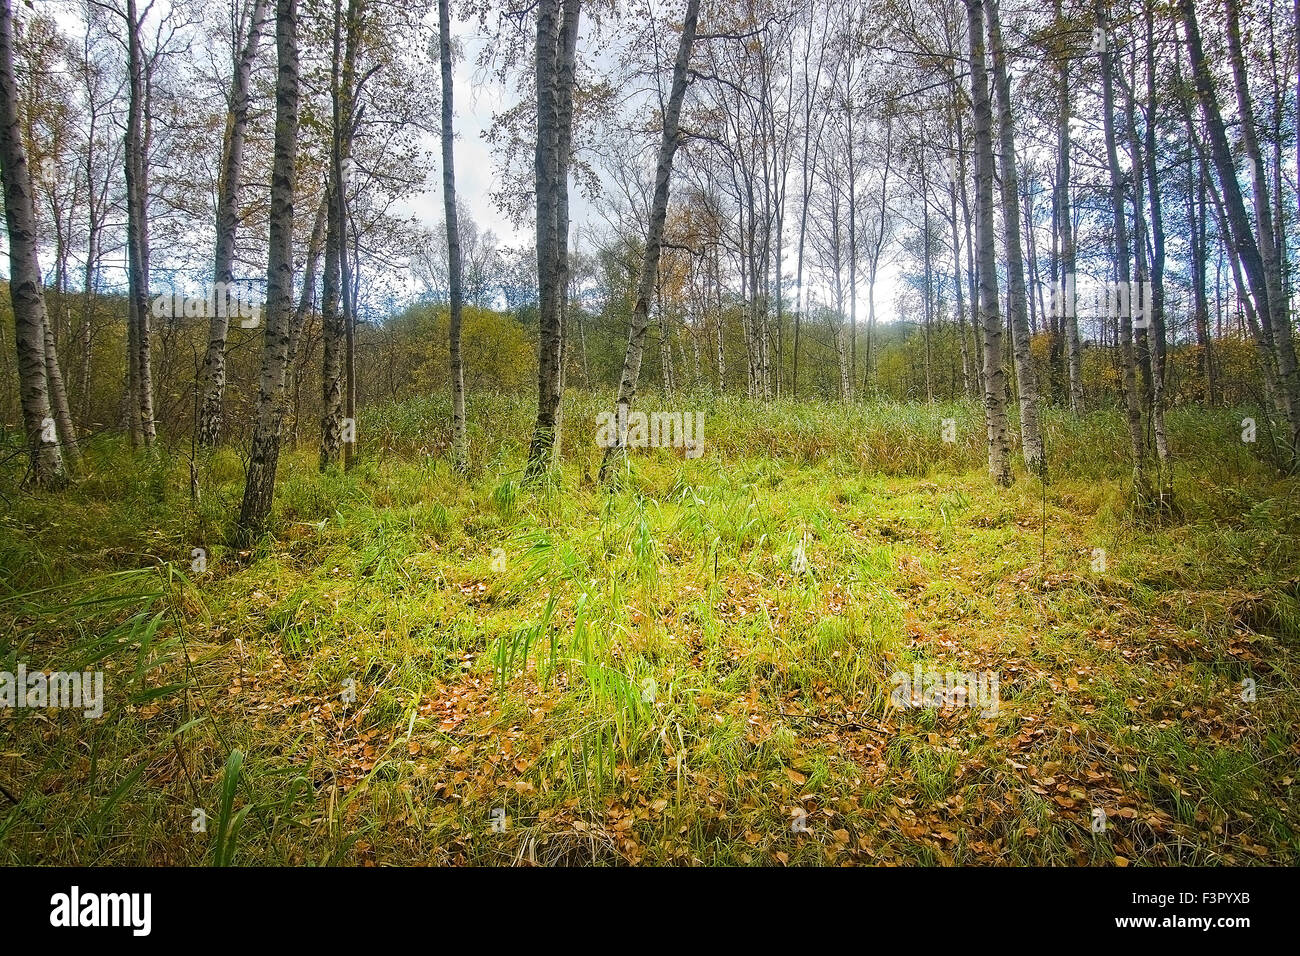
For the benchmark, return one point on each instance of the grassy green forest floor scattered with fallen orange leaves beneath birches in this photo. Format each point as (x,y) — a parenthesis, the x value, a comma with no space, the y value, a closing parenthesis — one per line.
(415,668)
